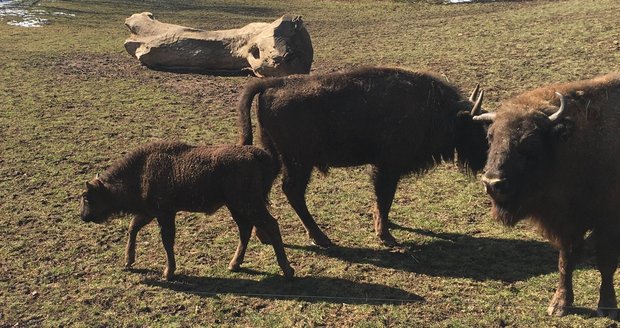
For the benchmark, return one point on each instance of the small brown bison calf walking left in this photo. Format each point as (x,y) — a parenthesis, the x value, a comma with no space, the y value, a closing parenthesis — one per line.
(162,178)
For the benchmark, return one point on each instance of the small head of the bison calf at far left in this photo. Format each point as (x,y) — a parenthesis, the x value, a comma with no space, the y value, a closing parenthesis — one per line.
(95,202)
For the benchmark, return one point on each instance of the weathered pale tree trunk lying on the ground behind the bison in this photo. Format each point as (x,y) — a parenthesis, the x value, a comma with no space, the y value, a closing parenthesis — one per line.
(267,49)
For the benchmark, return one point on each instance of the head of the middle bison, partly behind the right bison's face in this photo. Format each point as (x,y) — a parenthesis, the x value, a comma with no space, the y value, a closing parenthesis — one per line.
(471,142)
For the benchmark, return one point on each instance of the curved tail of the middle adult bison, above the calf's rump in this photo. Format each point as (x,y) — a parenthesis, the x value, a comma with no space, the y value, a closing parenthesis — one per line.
(244,107)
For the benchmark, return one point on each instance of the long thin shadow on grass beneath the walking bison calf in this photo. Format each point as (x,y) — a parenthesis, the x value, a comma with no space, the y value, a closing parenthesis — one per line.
(312,289)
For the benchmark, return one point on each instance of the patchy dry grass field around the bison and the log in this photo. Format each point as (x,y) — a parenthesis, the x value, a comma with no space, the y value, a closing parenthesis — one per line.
(72,101)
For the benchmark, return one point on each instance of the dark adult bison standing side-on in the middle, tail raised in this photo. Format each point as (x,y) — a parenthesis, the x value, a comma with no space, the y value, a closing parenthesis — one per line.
(397,120)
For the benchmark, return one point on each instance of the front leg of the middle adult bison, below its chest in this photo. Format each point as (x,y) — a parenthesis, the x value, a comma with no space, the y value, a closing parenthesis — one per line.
(385,187)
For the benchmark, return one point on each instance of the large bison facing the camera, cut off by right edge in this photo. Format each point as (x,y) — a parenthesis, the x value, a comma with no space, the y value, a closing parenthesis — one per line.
(553,158)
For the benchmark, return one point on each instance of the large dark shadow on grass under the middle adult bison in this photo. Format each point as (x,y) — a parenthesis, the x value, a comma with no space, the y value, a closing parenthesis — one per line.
(457,256)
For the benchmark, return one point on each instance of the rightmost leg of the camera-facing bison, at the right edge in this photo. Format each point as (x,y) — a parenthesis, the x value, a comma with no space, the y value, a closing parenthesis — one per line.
(607,262)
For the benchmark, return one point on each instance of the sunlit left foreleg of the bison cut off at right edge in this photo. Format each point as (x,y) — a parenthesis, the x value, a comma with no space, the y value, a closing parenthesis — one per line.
(563,297)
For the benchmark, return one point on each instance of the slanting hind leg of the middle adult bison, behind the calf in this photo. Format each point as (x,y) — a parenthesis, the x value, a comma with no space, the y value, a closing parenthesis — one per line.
(294,184)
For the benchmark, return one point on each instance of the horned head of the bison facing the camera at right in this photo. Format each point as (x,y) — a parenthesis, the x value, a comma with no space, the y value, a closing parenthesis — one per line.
(522,141)
